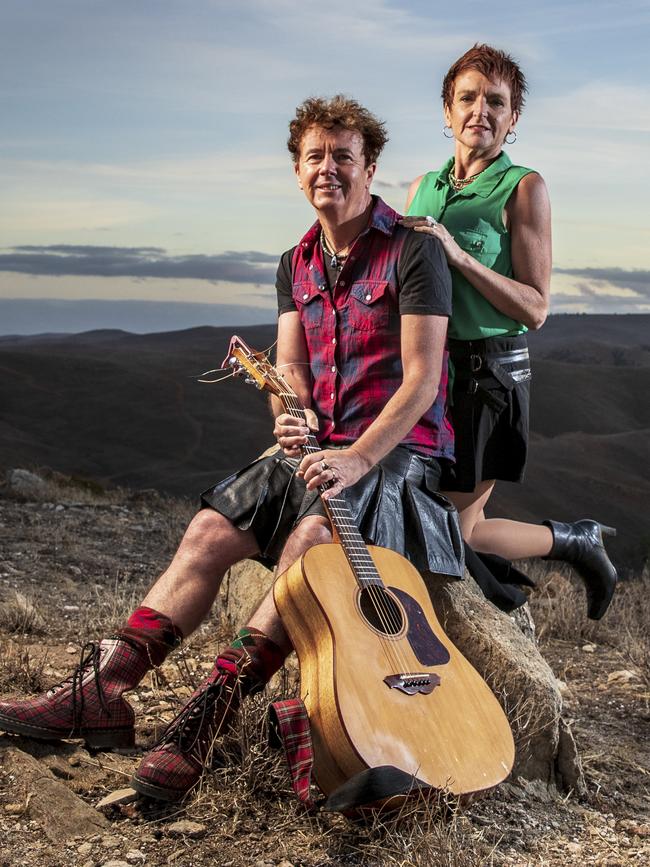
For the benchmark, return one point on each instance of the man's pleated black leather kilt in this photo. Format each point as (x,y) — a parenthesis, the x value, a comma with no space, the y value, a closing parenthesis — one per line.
(396,505)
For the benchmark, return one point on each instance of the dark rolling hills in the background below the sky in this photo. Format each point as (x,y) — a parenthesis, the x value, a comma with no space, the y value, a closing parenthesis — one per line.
(127,409)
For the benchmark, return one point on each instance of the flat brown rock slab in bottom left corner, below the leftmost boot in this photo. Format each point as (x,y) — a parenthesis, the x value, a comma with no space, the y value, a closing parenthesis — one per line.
(60,813)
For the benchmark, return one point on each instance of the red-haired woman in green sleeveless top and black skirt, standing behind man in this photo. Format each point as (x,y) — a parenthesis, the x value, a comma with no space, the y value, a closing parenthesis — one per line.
(494,222)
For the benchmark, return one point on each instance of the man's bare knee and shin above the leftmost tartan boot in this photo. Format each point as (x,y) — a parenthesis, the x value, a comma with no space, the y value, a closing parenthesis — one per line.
(187,589)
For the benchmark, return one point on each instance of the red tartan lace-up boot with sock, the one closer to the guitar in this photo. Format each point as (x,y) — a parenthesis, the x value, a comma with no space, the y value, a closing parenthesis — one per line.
(175,765)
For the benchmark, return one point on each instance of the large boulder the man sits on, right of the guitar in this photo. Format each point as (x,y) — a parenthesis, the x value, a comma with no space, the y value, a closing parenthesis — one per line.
(519,676)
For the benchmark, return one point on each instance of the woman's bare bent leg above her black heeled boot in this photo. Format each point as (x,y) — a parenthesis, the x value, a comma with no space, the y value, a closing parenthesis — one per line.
(513,540)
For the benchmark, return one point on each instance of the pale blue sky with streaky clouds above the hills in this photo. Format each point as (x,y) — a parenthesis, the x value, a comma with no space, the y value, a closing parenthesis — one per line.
(144,178)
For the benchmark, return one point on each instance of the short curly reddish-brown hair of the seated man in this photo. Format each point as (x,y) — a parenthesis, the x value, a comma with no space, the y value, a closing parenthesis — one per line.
(338,111)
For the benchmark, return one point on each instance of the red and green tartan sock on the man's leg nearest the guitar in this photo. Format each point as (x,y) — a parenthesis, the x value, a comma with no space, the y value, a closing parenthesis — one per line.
(253,658)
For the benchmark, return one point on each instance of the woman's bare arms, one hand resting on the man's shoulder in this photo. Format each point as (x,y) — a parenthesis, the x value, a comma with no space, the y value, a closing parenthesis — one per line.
(525,296)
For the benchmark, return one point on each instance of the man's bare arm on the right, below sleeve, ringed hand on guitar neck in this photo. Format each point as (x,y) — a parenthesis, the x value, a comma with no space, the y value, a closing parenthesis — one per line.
(422,344)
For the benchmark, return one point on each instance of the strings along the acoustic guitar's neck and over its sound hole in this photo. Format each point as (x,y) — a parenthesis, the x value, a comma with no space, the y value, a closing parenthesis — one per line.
(378,595)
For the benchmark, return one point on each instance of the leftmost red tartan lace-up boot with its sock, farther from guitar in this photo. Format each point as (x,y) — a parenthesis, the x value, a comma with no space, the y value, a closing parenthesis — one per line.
(89,703)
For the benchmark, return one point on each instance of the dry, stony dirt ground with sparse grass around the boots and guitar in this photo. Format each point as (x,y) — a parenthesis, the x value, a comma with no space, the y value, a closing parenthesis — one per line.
(73,564)
